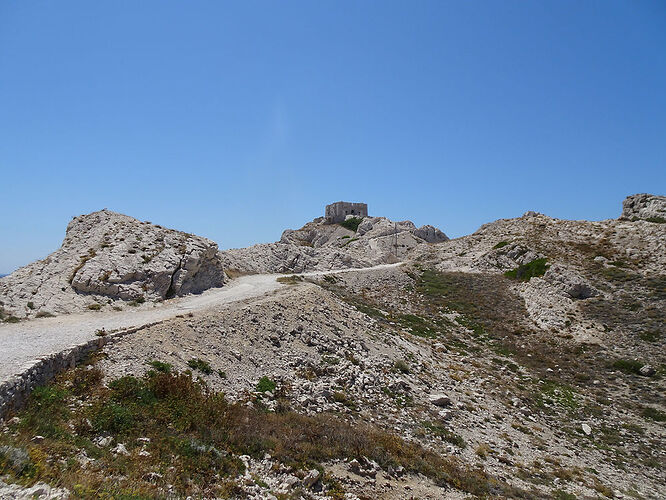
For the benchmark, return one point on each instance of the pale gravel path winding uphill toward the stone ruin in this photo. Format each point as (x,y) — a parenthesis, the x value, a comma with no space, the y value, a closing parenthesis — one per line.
(22,344)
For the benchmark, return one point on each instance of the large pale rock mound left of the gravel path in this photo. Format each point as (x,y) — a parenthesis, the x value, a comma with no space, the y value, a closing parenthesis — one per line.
(108,257)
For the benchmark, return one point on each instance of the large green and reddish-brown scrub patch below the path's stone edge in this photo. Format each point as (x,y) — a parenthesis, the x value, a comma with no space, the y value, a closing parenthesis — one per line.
(195,439)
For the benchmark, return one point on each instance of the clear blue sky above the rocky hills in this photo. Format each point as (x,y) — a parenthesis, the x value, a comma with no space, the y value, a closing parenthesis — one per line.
(236,120)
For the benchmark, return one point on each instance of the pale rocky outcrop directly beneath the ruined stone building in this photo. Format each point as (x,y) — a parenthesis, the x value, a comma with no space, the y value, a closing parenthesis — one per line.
(323,246)
